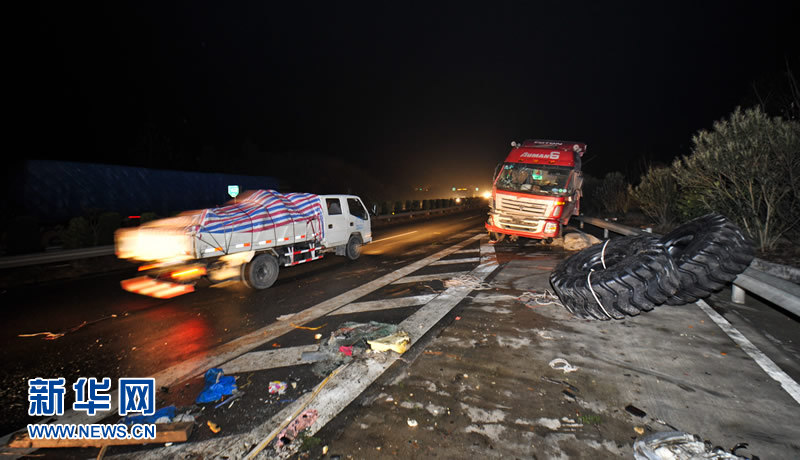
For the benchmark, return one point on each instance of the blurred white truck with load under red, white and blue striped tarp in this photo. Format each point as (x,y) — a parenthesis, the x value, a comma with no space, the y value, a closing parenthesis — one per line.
(247,239)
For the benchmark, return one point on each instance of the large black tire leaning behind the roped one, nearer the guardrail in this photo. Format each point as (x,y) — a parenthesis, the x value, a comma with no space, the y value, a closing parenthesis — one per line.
(709,252)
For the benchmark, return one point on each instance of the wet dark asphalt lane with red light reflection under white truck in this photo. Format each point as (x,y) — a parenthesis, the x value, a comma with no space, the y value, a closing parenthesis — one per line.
(108,332)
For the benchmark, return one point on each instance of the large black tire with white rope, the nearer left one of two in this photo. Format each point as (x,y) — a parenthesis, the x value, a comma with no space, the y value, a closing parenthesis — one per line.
(623,276)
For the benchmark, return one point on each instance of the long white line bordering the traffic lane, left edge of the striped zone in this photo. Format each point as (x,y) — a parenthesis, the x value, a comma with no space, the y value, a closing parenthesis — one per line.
(235,348)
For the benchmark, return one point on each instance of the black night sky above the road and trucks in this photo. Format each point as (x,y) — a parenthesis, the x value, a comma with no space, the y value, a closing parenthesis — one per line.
(409,93)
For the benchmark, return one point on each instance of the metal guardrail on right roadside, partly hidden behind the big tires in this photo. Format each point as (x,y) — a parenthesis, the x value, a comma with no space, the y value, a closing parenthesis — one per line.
(778,289)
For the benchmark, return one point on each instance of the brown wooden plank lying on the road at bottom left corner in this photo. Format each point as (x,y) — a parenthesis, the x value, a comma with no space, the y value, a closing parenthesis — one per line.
(165,432)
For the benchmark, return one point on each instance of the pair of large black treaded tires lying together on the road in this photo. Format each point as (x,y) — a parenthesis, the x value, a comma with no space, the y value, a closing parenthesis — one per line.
(627,275)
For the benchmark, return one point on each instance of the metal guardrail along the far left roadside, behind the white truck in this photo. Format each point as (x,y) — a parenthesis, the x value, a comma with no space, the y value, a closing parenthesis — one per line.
(99,251)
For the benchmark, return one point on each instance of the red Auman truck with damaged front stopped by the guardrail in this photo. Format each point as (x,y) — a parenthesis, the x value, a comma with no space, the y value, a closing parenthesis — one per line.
(536,190)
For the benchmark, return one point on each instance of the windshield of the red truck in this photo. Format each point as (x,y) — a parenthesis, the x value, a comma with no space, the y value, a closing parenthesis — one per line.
(528,178)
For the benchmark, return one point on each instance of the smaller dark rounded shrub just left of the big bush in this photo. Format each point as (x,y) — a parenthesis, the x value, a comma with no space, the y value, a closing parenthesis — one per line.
(656,195)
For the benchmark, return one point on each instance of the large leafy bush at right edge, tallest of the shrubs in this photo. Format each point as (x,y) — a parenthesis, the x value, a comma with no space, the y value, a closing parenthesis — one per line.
(748,169)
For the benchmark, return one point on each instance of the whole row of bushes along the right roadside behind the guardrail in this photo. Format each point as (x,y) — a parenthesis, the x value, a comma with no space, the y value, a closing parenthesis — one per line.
(746,167)
